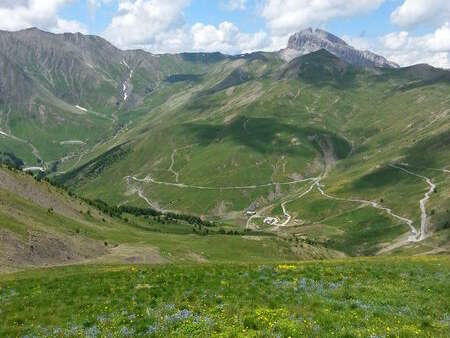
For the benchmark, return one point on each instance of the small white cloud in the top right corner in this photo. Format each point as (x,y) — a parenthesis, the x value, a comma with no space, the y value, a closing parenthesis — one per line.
(413,12)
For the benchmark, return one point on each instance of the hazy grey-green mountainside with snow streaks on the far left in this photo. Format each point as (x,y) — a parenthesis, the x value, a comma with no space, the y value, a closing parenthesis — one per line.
(64,93)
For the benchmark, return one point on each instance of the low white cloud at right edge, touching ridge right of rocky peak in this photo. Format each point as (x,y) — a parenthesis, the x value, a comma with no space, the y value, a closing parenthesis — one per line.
(405,49)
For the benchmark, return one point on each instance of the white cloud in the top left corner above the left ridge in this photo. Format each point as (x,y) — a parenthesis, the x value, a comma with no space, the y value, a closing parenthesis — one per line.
(15,15)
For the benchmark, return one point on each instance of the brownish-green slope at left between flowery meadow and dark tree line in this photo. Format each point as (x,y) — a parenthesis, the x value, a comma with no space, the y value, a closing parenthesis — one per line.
(36,217)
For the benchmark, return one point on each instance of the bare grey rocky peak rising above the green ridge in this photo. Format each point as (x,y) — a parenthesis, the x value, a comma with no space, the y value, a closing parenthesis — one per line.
(309,40)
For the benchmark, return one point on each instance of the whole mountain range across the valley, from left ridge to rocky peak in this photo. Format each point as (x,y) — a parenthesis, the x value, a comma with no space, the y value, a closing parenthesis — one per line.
(318,140)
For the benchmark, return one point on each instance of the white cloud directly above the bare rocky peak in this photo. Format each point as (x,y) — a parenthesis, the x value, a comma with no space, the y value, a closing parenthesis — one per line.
(287,16)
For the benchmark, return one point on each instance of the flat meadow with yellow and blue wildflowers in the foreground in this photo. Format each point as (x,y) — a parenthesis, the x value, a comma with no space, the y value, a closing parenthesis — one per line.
(379,297)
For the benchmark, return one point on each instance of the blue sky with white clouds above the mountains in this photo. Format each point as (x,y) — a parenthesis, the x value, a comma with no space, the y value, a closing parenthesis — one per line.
(404,31)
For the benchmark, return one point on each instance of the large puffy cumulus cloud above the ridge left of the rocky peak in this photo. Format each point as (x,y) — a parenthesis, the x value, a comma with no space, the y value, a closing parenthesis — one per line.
(159,26)
